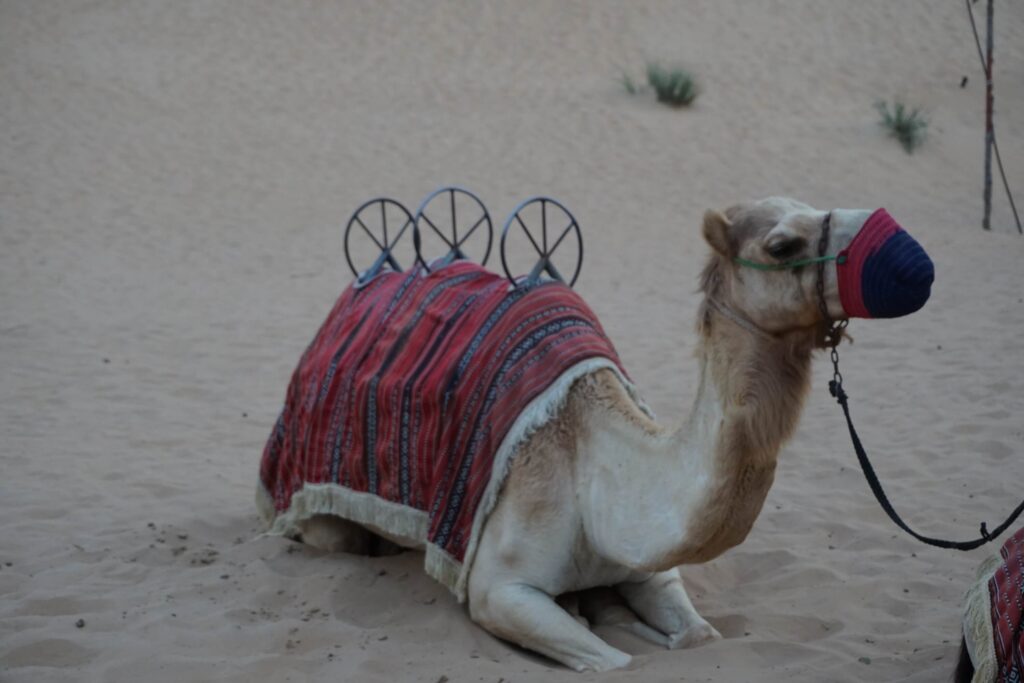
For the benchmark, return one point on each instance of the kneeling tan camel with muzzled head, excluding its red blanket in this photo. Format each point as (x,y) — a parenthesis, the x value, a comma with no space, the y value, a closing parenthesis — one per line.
(604,496)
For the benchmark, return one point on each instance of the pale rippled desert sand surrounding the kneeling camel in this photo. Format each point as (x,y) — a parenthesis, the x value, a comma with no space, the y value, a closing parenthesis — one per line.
(175,179)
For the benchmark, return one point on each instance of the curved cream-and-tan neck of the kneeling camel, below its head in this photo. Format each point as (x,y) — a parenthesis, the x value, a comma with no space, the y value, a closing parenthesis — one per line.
(693,493)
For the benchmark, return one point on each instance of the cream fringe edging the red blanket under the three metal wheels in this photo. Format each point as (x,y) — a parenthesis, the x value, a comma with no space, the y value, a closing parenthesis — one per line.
(411,525)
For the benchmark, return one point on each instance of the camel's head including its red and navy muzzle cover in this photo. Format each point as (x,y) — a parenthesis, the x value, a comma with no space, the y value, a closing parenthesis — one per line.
(769,258)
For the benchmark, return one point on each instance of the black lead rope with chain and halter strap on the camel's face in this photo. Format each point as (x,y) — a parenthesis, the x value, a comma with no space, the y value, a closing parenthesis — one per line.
(833,336)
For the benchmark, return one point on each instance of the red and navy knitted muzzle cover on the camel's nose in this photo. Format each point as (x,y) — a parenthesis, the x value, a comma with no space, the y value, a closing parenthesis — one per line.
(884,273)
